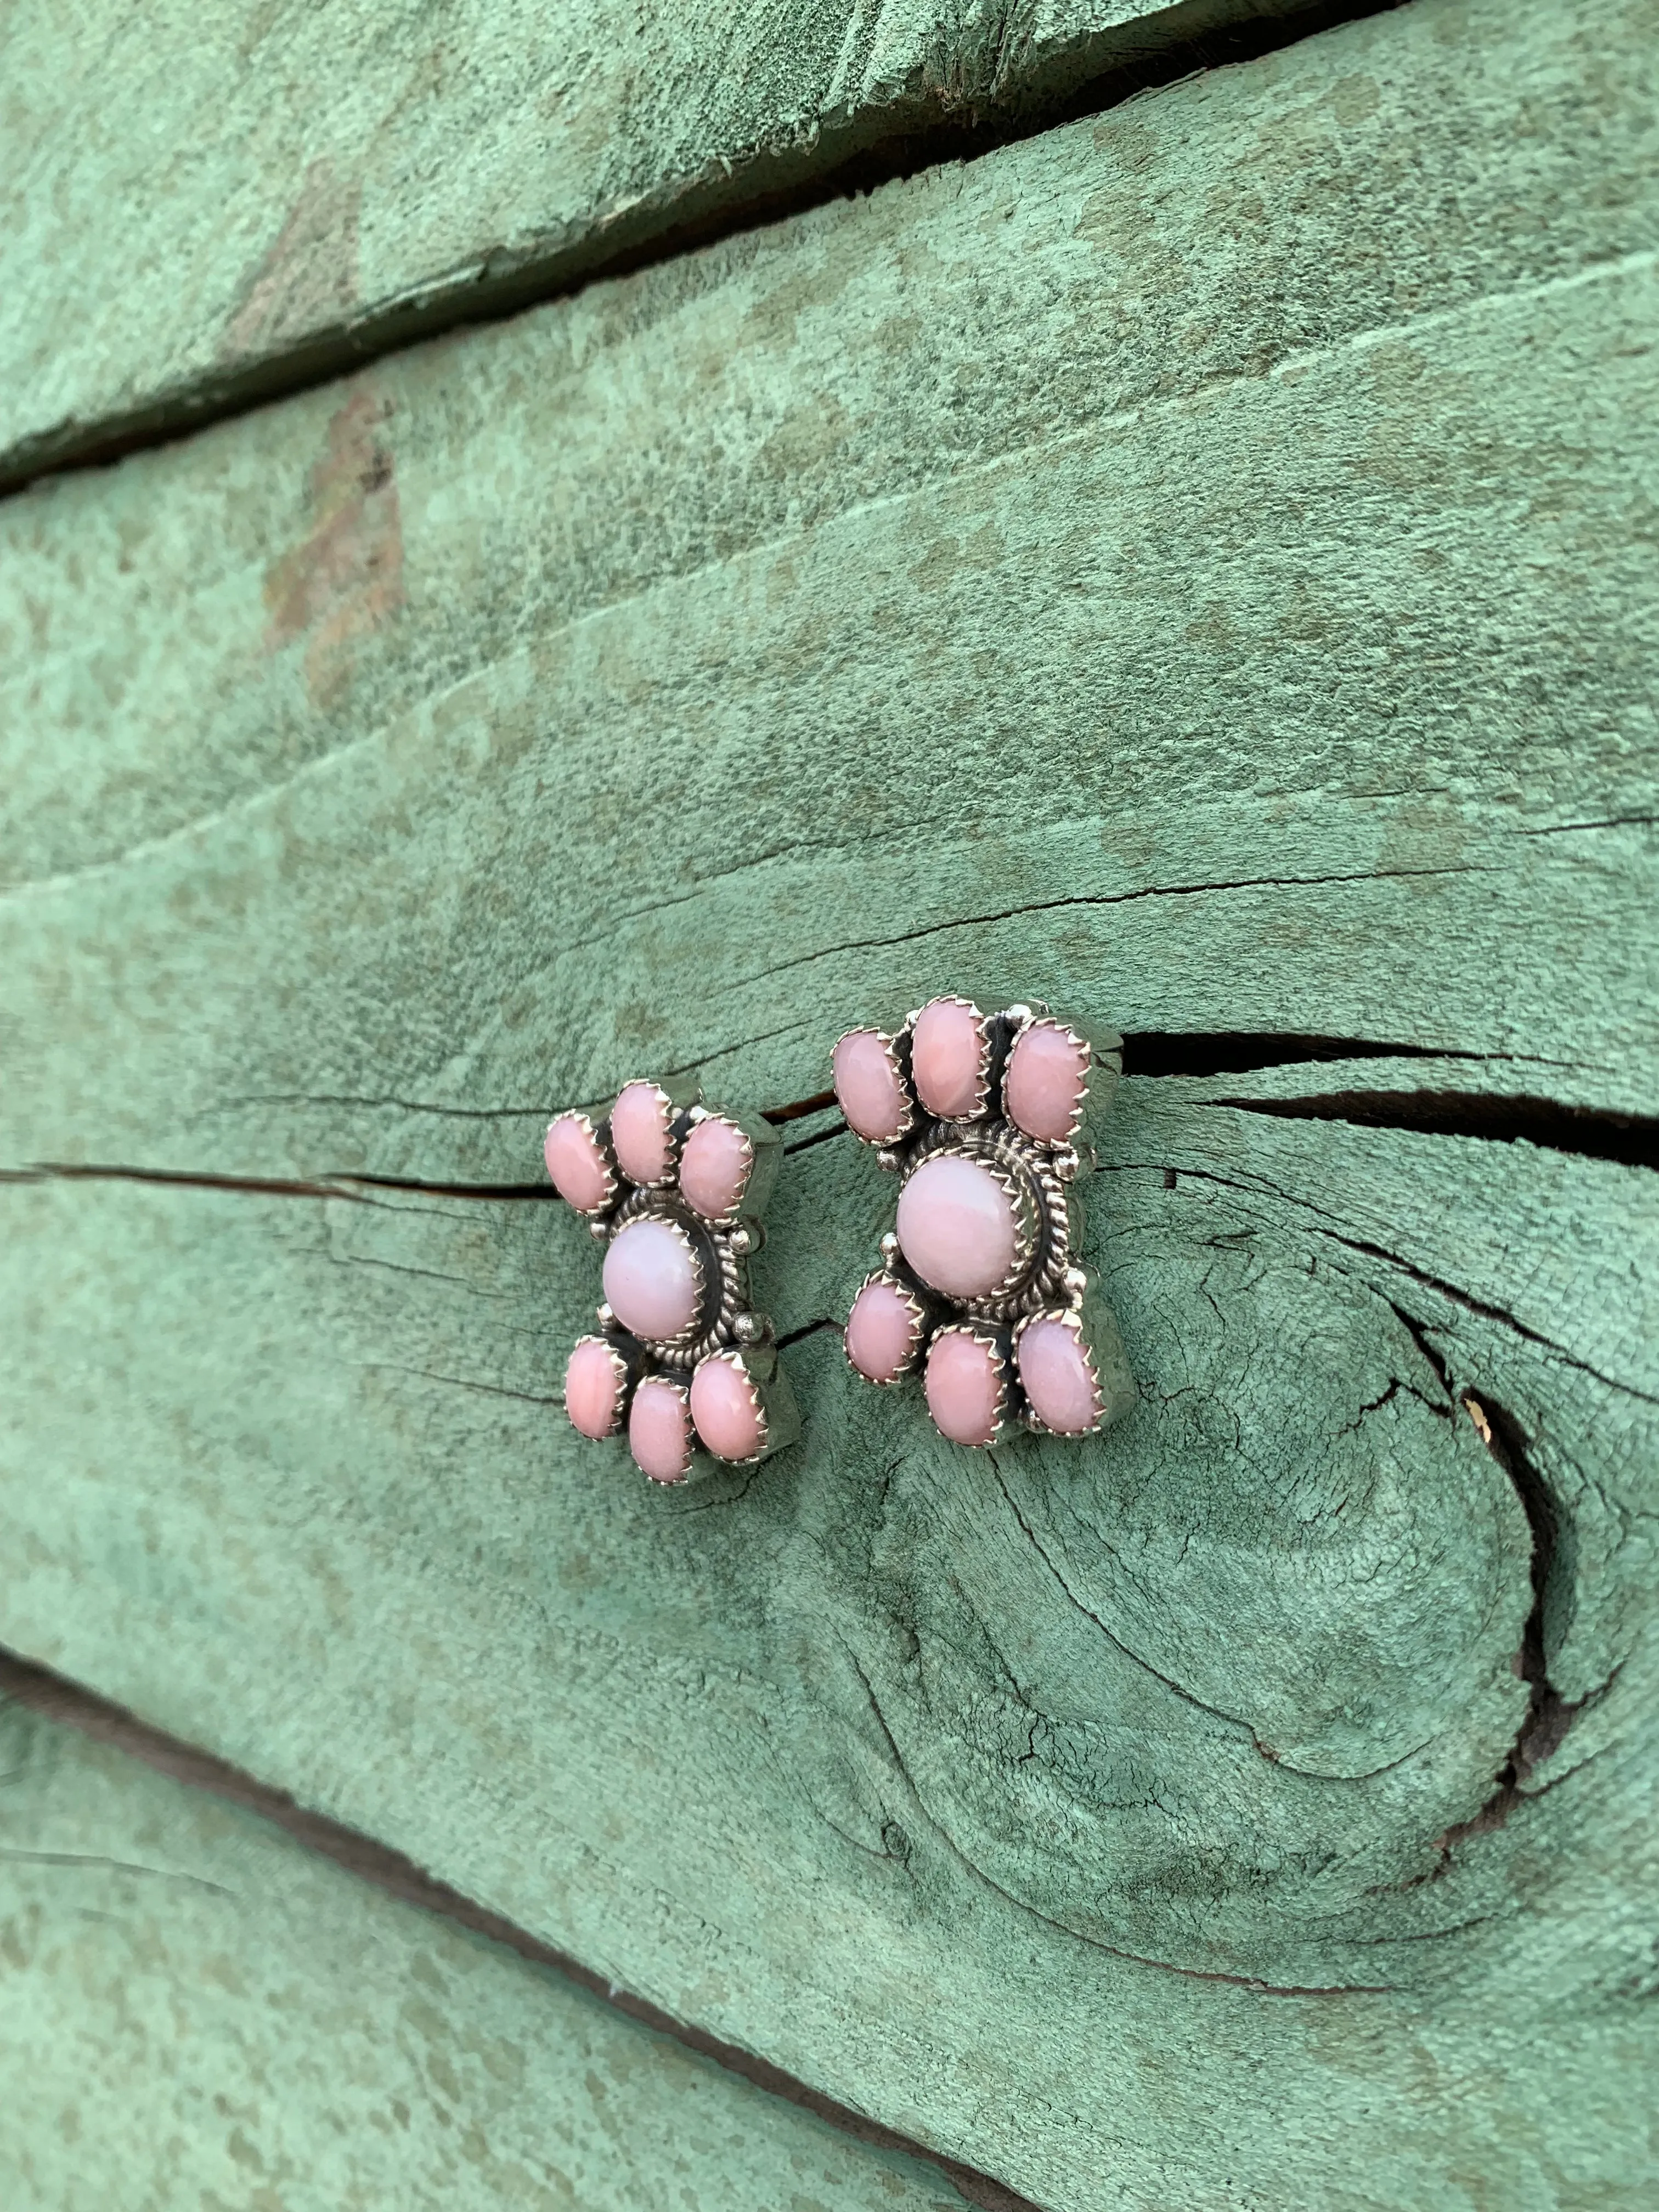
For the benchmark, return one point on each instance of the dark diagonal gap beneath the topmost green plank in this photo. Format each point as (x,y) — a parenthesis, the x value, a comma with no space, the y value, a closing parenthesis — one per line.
(844,163)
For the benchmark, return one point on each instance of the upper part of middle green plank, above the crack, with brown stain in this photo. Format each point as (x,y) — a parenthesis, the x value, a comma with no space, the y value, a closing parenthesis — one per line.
(1313,592)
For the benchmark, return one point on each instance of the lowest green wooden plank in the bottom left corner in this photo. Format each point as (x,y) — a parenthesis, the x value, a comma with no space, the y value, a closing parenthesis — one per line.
(200,2012)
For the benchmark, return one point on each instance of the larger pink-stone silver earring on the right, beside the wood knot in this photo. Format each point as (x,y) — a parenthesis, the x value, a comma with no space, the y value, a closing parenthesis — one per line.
(983,1118)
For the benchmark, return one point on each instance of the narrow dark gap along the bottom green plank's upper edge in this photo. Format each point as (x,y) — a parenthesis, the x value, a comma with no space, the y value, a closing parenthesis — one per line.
(103,1722)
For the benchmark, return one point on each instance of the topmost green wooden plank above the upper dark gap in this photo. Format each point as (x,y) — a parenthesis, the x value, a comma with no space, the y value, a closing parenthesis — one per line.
(220,200)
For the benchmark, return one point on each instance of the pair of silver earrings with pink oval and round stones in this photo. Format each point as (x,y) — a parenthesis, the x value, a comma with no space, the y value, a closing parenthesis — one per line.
(983,1118)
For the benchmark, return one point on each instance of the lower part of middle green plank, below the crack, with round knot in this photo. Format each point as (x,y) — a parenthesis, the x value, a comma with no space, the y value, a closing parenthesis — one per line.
(924,1773)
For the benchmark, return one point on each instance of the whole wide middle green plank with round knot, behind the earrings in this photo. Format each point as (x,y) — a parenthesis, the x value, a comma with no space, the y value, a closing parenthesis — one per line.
(1196,565)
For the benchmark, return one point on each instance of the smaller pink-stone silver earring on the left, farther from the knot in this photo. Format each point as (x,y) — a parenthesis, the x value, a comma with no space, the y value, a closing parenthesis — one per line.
(682,1359)
